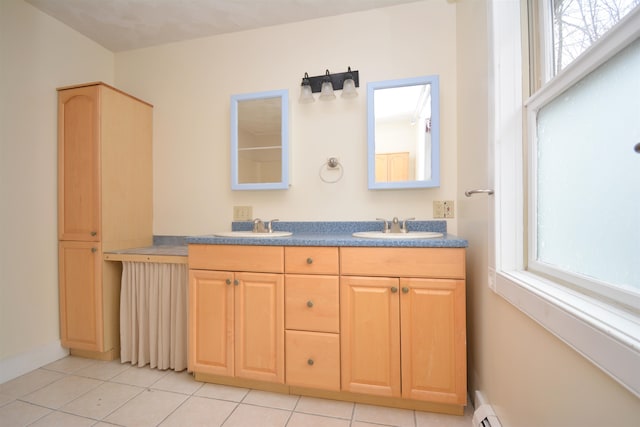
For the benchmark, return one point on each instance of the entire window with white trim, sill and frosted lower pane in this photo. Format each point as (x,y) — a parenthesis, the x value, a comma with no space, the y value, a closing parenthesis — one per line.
(568,193)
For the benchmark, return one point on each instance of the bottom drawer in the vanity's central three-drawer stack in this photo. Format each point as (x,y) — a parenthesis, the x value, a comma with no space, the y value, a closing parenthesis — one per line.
(313,360)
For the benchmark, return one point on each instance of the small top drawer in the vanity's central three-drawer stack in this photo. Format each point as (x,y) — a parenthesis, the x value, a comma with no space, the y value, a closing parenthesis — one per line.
(311,260)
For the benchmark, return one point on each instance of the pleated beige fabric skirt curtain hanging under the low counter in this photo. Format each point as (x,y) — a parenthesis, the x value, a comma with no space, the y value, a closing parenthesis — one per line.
(153,315)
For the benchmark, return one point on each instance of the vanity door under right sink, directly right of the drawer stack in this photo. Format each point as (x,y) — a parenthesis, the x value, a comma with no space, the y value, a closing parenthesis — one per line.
(370,335)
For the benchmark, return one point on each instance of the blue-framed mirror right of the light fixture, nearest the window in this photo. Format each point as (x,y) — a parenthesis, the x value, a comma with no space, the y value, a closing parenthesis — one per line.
(403,131)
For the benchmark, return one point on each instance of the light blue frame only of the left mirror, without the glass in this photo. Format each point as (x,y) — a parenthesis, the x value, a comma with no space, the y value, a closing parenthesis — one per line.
(284,98)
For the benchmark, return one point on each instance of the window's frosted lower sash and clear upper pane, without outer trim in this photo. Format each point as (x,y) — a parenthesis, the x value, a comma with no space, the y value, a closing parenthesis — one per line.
(584,182)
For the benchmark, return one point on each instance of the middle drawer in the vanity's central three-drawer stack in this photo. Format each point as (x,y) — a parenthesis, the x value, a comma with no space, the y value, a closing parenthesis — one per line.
(312,303)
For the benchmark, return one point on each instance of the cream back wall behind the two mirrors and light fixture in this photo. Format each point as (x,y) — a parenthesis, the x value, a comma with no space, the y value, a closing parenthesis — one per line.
(190,84)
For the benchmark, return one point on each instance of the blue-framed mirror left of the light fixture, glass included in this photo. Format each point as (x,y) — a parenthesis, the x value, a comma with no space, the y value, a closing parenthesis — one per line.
(260,141)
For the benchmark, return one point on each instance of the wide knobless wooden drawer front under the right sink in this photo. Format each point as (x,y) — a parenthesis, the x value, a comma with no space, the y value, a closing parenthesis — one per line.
(441,263)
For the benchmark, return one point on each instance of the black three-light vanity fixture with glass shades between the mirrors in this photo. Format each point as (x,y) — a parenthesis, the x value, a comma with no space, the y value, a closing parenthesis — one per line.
(327,83)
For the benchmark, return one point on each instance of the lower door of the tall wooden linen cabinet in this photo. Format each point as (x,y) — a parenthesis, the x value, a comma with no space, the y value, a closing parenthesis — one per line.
(80,270)
